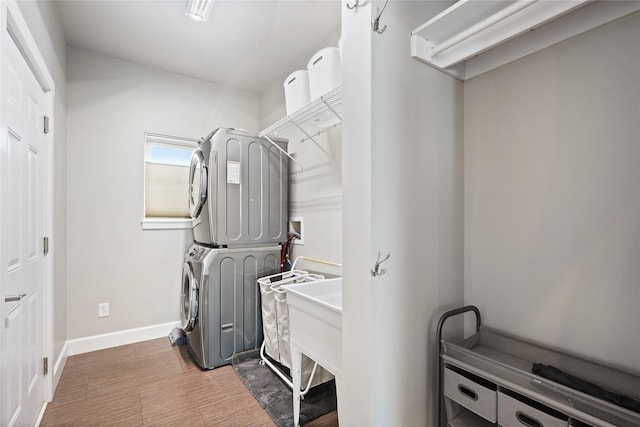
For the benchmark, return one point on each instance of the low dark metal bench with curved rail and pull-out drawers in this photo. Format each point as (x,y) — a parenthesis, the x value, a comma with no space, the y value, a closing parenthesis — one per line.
(488,379)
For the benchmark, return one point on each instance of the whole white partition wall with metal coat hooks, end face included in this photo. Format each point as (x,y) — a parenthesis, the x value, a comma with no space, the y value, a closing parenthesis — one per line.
(403,194)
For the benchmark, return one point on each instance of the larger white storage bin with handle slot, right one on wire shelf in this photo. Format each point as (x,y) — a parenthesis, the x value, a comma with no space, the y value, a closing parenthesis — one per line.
(325,72)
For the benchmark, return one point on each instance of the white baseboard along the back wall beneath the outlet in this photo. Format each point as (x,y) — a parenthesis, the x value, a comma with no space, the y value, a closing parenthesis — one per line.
(115,339)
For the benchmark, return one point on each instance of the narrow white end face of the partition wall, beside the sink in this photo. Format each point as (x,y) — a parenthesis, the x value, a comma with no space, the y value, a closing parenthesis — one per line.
(355,398)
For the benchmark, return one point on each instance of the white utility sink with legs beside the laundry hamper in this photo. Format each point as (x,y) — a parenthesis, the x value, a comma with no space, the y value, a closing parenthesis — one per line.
(315,329)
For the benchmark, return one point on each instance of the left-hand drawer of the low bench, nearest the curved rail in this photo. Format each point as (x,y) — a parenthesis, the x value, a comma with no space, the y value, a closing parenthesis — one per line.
(470,391)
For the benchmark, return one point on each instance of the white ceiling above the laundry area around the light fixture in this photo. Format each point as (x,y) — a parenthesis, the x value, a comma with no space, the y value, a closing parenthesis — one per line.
(247,44)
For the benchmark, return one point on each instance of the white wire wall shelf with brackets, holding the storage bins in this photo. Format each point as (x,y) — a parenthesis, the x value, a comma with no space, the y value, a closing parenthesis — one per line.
(310,121)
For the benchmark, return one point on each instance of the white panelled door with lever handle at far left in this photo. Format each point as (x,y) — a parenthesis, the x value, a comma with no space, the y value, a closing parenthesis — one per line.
(22,216)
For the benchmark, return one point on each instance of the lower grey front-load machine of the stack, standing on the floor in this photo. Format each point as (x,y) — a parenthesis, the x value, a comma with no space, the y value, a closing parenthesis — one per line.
(221,309)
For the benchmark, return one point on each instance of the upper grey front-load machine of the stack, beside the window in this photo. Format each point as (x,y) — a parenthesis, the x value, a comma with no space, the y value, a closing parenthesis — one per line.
(238,190)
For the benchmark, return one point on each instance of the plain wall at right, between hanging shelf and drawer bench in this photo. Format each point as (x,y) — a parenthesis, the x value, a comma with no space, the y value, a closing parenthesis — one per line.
(552,218)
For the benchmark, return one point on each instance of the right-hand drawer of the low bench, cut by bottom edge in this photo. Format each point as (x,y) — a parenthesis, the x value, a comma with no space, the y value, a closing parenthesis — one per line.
(514,412)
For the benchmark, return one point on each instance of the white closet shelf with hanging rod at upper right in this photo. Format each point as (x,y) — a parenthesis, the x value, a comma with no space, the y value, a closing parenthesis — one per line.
(475,36)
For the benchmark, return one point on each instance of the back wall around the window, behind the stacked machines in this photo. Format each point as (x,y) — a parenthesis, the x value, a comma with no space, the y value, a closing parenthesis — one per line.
(111,104)
